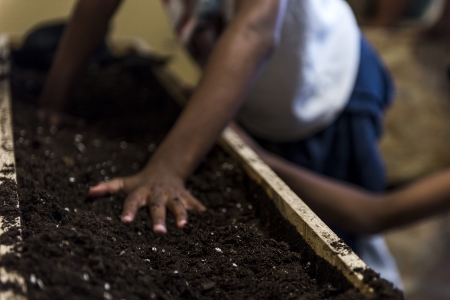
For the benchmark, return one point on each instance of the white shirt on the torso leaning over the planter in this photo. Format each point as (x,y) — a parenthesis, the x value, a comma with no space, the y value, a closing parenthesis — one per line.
(311,74)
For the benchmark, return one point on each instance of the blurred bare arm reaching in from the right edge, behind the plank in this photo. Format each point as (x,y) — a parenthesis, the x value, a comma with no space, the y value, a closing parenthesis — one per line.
(355,209)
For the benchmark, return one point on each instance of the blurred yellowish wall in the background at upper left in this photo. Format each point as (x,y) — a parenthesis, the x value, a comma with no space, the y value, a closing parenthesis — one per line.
(145,19)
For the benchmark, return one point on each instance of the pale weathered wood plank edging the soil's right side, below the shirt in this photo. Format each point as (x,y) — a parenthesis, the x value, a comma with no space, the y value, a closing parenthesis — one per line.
(319,236)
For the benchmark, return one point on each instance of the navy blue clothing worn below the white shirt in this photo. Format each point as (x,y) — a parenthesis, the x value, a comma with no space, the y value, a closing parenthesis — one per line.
(347,149)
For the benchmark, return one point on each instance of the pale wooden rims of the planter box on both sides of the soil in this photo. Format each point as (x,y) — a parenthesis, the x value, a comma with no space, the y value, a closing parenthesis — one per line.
(324,243)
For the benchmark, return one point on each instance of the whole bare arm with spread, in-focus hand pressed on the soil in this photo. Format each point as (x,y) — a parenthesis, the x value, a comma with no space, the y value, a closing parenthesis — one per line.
(233,66)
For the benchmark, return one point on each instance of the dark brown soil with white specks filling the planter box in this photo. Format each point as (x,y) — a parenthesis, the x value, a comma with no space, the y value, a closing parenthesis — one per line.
(76,248)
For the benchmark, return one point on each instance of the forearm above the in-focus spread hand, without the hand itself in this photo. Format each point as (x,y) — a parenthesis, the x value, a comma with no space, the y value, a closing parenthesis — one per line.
(231,69)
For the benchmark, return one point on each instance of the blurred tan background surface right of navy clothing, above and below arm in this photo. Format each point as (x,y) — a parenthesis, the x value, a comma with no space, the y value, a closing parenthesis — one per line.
(417,143)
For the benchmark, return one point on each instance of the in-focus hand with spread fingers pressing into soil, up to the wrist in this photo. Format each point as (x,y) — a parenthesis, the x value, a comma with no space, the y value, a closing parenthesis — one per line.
(155,188)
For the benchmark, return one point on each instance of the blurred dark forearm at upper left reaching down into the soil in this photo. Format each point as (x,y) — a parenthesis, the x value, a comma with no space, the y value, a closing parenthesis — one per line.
(83,34)
